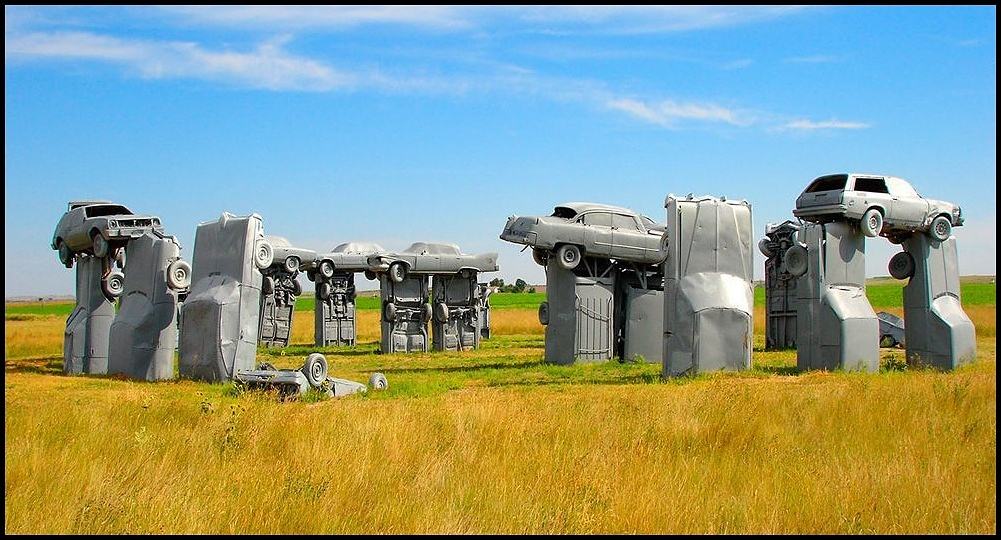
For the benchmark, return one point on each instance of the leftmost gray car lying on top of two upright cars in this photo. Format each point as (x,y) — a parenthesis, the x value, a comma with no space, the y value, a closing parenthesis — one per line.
(99,228)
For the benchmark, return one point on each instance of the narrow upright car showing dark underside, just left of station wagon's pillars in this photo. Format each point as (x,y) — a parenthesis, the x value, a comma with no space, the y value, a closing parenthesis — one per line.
(780,286)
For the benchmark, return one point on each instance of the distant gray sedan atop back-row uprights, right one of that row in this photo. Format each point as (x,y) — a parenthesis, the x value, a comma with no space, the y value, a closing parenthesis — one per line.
(426,258)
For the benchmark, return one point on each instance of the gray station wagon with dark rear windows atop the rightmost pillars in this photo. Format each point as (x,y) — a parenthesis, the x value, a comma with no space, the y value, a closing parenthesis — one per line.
(885,206)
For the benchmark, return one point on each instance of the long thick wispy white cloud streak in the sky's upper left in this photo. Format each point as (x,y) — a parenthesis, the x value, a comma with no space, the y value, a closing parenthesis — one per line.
(267,67)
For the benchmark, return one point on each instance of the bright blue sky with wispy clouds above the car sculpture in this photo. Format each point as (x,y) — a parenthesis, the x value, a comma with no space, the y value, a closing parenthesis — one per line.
(405,125)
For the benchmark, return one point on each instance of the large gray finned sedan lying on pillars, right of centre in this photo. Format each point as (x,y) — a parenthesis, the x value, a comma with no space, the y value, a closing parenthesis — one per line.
(578,230)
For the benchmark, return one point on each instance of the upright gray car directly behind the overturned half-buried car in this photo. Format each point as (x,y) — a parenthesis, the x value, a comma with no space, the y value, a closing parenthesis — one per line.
(220,318)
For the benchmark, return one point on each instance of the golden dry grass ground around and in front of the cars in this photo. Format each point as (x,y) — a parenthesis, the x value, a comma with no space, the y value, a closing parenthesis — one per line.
(496,441)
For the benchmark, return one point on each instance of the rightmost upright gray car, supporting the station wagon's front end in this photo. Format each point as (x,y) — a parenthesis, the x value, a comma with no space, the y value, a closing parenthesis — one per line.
(938,331)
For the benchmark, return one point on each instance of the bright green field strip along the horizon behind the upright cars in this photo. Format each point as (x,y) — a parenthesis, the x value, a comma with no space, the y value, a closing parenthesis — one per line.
(882,294)
